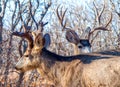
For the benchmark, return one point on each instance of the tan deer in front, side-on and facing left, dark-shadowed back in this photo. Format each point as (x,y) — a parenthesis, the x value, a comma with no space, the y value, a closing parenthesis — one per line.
(83,70)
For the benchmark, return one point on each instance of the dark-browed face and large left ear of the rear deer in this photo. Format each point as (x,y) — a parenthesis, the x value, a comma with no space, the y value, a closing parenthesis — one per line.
(83,44)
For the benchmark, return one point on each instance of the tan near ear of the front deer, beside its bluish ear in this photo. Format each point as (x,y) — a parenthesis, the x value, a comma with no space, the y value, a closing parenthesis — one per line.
(39,40)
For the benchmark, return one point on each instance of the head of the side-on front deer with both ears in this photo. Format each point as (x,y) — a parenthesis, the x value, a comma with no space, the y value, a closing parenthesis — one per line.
(31,60)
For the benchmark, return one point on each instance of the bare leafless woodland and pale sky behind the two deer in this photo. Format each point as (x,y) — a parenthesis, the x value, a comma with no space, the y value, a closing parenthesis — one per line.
(40,14)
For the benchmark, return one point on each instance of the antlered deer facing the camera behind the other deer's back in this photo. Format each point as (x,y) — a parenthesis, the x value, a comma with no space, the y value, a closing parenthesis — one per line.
(81,45)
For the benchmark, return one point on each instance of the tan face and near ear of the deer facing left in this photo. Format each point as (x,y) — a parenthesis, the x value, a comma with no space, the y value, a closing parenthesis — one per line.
(32,59)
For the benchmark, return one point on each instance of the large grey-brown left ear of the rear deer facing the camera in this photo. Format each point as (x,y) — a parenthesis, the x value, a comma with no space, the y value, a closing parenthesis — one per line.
(72,37)
